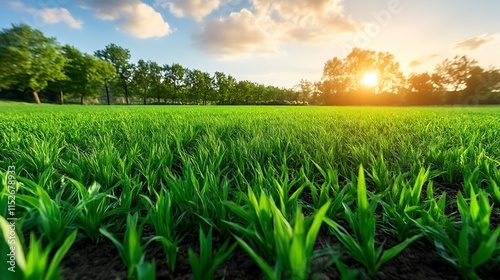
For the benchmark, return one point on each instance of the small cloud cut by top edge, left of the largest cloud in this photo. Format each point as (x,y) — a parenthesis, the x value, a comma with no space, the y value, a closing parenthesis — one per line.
(197,9)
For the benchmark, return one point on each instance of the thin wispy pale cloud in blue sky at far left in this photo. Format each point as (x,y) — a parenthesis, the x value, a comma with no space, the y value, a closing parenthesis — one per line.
(49,15)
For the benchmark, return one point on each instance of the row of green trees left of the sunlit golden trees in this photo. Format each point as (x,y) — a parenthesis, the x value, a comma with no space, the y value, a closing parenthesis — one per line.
(31,62)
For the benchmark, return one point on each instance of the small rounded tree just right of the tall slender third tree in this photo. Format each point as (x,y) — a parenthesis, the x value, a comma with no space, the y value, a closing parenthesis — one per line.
(147,76)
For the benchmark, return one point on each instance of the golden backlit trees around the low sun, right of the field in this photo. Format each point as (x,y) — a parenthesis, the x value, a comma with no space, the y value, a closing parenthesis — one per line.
(454,81)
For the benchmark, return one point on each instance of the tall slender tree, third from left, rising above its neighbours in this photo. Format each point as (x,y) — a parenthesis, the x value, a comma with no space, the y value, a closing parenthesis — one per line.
(119,58)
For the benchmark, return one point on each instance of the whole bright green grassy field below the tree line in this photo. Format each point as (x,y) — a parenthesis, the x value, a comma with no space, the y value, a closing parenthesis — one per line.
(250,192)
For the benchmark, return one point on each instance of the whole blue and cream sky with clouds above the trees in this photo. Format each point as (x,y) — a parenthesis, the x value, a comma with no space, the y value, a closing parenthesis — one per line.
(273,42)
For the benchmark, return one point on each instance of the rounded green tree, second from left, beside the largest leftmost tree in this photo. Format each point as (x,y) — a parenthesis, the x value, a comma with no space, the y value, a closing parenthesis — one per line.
(86,72)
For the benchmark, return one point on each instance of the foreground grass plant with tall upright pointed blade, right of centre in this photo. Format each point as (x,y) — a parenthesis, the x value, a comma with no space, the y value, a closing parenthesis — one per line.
(361,246)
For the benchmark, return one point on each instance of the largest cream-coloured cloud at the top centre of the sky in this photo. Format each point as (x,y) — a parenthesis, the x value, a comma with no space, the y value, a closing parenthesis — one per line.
(274,22)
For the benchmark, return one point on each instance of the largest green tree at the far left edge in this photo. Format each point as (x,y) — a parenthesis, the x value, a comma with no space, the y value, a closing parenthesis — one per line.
(29,60)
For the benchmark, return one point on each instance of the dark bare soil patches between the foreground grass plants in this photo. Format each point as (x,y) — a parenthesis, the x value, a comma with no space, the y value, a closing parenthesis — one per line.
(420,260)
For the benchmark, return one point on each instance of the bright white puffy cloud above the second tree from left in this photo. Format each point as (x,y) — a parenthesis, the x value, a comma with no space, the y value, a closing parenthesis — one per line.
(131,16)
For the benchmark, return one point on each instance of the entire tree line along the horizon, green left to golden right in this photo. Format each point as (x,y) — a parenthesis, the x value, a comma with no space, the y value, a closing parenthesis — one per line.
(31,62)
